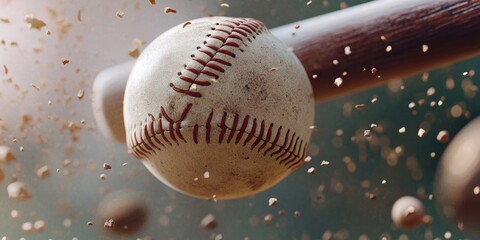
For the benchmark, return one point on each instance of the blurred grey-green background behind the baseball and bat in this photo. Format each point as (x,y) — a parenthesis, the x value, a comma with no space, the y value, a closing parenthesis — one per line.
(332,203)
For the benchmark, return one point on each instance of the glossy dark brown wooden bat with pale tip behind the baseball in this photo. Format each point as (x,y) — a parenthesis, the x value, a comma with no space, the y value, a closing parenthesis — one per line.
(394,38)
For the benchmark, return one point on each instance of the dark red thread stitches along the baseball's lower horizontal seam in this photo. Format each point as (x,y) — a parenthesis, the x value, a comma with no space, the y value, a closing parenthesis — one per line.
(291,157)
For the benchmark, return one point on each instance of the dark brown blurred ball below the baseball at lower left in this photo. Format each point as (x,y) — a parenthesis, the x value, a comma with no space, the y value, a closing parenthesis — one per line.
(122,212)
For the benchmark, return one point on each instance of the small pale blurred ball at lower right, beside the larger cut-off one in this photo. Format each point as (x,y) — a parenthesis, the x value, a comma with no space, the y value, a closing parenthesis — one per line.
(407,212)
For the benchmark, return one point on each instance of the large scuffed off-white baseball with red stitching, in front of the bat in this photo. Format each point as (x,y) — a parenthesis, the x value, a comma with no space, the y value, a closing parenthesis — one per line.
(218,108)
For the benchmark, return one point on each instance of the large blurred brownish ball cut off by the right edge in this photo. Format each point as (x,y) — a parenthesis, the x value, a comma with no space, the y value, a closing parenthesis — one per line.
(458,178)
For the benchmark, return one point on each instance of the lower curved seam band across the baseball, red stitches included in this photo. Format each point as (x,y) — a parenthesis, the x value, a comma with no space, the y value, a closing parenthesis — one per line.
(153,137)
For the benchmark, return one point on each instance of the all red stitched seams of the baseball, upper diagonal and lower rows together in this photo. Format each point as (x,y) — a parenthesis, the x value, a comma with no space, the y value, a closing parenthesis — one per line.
(151,136)
